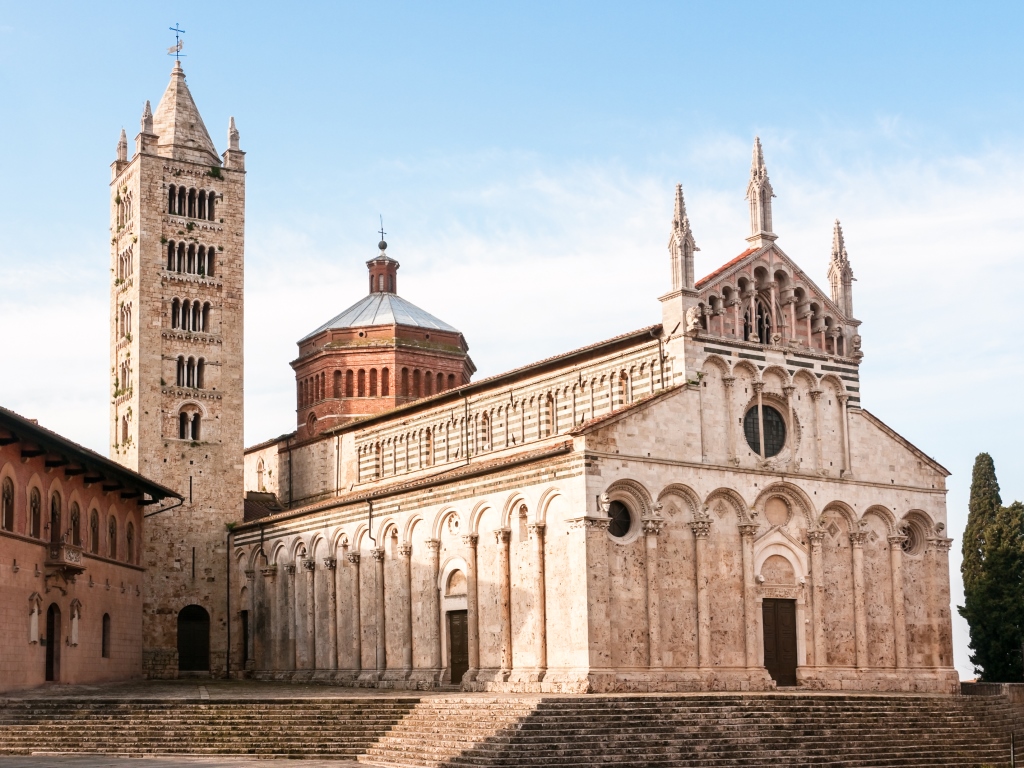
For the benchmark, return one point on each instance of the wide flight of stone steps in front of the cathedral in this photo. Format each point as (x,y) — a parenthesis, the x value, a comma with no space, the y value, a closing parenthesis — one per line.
(704,731)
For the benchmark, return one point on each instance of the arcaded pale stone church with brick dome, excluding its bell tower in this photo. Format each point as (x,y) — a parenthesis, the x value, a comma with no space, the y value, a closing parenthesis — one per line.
(701,504)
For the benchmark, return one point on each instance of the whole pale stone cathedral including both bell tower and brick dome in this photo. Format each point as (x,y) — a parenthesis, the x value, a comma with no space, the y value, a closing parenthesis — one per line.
(701,504)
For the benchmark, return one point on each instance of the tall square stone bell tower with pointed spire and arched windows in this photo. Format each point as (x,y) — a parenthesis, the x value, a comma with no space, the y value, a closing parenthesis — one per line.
(178,247)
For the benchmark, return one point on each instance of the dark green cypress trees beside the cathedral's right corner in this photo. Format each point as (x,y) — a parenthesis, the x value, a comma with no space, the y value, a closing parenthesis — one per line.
(994,579)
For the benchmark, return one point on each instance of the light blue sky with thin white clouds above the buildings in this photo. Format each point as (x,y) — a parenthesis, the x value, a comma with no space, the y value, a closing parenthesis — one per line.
(524,158)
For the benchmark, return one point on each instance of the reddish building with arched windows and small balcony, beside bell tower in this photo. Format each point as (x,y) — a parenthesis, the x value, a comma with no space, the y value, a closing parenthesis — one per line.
(72,527)
